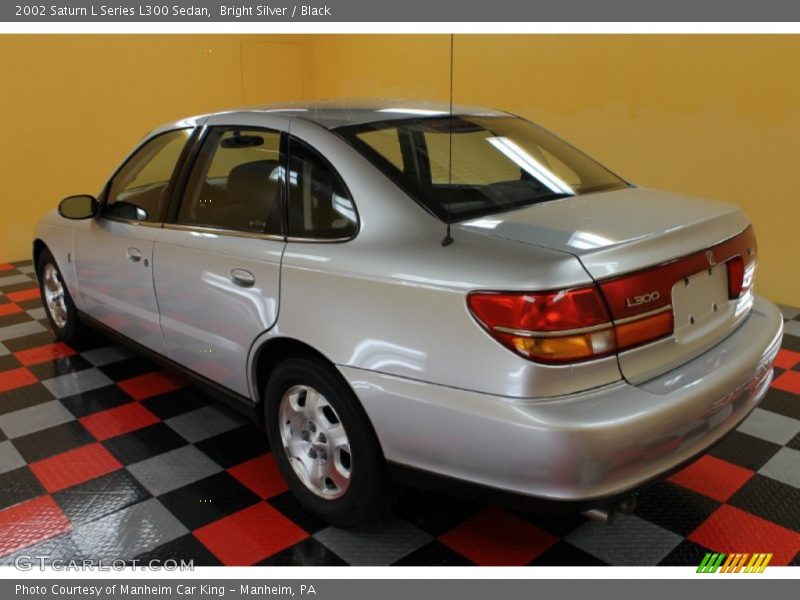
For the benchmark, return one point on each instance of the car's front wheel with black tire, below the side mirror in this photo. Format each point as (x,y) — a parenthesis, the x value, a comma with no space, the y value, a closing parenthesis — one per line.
(56,299)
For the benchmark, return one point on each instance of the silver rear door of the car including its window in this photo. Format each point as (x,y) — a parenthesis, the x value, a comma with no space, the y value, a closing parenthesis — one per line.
(217,262)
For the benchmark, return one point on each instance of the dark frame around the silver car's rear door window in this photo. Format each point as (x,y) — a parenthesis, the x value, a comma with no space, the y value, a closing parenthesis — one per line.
(182,183)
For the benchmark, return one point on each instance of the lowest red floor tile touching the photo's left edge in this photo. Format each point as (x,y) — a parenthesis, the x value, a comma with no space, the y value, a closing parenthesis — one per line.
(30,522)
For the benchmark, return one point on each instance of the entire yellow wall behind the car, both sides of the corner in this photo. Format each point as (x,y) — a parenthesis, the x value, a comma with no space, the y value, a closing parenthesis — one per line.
(714,116)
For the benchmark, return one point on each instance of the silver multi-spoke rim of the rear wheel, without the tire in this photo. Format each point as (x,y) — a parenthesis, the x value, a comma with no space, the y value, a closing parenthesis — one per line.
(315,442)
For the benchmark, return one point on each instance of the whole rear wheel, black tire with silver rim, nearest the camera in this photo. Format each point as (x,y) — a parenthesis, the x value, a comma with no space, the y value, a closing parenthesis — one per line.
(324,444)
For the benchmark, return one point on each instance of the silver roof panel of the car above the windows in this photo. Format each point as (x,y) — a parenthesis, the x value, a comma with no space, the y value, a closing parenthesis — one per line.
(339,113)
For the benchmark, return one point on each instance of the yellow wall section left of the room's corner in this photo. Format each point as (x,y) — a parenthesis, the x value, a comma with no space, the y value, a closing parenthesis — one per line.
(73,106)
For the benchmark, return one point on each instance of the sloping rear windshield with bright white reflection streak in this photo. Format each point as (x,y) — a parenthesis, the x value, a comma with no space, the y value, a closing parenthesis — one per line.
(463,167)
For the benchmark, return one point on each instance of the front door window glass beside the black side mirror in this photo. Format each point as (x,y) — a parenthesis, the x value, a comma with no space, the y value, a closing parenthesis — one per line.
(138,192)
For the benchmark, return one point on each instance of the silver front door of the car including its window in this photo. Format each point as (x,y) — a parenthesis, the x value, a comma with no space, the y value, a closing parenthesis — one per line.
(114,254)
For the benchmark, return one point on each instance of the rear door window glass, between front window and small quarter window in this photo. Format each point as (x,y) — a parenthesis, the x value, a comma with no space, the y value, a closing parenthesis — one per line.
(237,182)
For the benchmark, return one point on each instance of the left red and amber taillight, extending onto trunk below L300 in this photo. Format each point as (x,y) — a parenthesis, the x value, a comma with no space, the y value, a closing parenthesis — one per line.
(563,326)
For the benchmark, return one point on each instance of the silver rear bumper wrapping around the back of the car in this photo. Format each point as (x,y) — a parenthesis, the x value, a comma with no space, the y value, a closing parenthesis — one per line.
(594,445)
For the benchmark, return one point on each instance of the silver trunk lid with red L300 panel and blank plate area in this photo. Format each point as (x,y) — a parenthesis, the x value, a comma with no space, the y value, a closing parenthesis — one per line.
(650,251)
